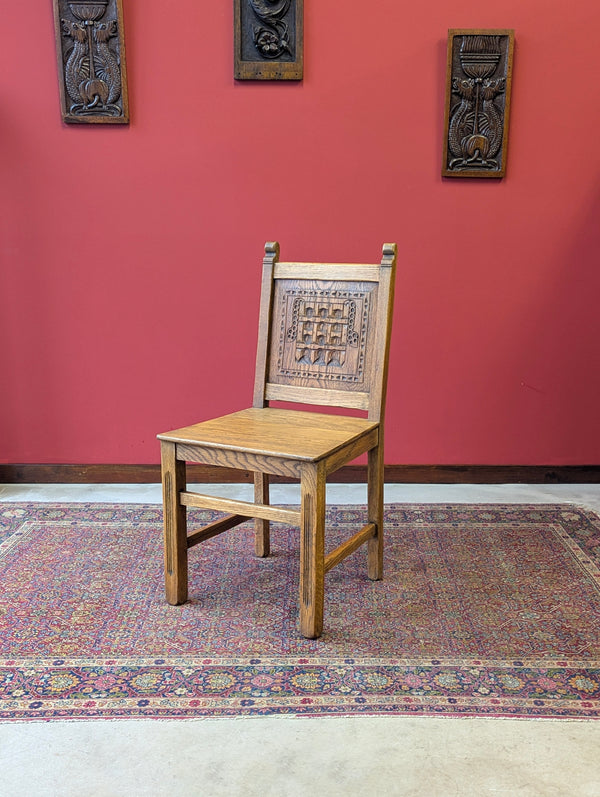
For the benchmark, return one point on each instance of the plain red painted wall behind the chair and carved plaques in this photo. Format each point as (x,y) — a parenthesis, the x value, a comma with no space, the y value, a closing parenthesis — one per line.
(130,256)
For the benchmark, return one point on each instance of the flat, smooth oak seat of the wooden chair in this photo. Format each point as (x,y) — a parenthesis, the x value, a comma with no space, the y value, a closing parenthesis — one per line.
(289,434)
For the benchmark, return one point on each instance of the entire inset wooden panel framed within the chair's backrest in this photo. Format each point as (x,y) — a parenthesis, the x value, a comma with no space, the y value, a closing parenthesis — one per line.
(320,335)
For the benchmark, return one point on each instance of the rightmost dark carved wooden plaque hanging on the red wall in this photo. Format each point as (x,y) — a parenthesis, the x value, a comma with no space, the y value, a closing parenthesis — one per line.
(477,102)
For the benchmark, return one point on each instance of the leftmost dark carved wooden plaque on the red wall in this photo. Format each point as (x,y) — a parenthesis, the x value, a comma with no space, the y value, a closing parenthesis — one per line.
(90,51)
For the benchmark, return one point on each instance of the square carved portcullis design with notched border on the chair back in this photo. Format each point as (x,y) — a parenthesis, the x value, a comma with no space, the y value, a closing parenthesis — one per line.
(323,334)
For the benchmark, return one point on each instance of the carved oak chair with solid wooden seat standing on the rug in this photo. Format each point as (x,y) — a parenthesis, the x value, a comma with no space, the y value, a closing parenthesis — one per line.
(324,337)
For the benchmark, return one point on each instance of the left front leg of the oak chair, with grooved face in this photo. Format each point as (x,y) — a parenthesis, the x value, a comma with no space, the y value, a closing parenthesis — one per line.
(175,525)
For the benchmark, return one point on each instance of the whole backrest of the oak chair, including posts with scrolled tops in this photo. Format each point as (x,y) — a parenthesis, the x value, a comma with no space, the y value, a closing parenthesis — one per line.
(324,332)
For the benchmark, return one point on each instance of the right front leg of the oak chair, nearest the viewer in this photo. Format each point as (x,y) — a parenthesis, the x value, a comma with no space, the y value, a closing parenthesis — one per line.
(312,550)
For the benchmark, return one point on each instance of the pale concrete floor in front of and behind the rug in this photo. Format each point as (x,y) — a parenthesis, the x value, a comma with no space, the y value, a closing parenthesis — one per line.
(292,756)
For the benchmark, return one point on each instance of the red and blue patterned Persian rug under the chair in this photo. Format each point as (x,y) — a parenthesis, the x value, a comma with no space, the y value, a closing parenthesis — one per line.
(484,611)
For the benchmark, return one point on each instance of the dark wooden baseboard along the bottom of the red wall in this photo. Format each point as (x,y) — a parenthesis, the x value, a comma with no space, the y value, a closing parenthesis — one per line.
(394,474)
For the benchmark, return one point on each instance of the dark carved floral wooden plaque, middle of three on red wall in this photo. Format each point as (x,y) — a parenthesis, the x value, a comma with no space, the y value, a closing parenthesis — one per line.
(268,39)
